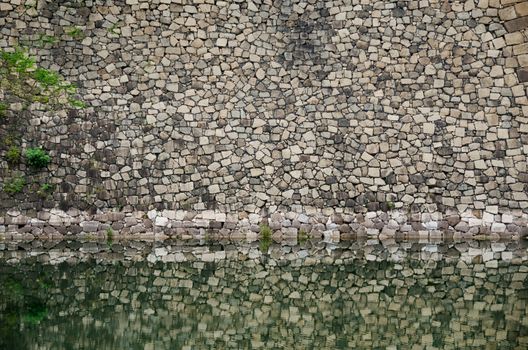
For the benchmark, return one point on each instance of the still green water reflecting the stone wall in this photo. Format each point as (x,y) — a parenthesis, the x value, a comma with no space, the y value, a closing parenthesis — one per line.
(356,295)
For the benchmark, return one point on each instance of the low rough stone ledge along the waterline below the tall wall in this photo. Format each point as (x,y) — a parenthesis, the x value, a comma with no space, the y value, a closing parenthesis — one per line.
(55,223)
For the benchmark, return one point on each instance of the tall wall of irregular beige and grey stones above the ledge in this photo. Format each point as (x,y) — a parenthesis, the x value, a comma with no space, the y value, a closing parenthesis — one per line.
(257,107)
